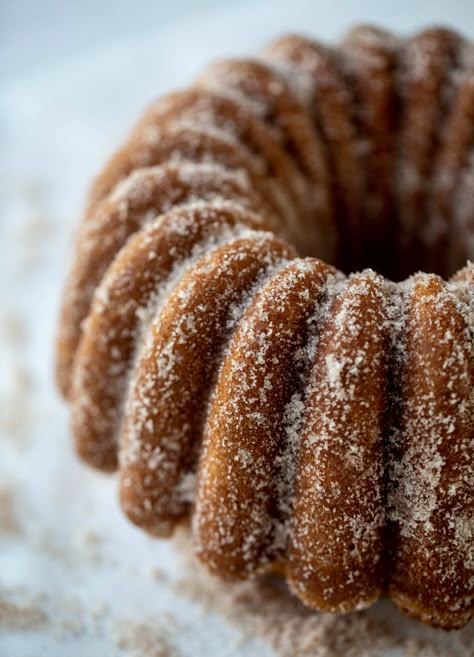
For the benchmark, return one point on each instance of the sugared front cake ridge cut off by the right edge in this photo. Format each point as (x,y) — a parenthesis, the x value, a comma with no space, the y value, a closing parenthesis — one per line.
(431,498)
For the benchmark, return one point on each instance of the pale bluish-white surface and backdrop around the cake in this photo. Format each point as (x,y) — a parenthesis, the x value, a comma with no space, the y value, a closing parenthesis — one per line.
(74,76)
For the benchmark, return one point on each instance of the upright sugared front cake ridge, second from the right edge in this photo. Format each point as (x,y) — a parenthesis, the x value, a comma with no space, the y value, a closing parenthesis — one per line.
(340,464)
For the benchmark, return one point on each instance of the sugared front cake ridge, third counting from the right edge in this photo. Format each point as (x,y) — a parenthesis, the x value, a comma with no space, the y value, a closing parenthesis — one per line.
(244,495)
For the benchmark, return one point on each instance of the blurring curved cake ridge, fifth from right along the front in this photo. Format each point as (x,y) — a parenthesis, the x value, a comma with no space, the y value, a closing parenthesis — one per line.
(96,393)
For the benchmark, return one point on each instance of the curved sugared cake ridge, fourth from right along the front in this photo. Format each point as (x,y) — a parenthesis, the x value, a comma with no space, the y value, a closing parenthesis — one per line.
(155,396)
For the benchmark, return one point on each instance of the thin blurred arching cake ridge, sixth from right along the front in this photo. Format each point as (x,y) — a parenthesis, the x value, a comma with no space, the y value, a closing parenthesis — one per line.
(147,194)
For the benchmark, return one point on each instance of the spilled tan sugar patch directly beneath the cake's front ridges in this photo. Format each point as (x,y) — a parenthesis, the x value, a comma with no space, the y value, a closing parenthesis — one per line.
(264,608)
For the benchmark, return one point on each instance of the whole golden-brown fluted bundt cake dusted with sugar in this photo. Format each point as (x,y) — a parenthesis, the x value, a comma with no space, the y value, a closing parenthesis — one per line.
(308,420)
